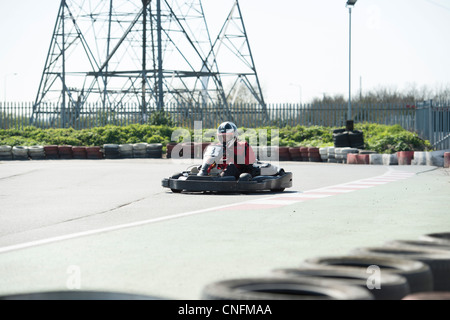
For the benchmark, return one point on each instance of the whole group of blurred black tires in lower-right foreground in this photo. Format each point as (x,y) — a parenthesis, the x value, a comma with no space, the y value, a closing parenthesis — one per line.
(396,270)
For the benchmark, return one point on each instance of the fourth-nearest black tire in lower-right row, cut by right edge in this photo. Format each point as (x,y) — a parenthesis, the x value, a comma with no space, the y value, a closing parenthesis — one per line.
(437,260)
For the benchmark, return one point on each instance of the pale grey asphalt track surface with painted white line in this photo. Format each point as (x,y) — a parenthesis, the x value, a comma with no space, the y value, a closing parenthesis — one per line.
(112,222)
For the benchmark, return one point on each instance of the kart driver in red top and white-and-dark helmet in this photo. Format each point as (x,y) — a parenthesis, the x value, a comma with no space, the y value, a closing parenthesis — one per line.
(238,156)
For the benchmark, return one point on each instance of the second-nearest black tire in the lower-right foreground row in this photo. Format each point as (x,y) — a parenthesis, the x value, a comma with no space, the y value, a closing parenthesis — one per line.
(391,286)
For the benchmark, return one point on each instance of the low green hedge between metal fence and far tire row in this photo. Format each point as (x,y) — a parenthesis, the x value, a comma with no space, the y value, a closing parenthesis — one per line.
(379,138)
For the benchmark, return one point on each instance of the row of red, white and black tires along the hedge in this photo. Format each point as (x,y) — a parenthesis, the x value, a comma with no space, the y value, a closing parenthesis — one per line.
(345,155)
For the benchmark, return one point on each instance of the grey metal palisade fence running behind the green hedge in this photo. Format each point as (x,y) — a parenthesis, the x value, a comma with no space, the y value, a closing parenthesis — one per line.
(431,120)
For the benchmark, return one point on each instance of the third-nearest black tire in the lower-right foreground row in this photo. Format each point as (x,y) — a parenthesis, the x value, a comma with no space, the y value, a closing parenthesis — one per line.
(417,273)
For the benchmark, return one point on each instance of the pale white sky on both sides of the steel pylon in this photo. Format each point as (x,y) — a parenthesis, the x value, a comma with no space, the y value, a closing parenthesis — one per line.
(300,47)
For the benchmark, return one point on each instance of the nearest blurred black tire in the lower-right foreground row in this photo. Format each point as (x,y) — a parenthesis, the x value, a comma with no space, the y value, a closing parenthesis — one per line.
(279,288)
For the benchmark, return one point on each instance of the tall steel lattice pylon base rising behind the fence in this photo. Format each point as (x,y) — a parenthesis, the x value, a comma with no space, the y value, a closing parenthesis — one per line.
(104,54)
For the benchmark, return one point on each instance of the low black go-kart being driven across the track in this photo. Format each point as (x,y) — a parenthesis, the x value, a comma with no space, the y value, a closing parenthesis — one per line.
(263,177)
